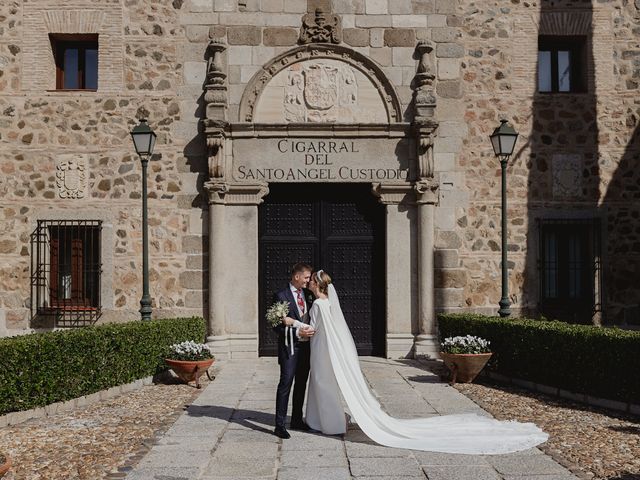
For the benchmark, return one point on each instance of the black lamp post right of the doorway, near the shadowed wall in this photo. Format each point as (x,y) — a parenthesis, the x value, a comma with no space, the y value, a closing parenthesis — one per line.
(503,140)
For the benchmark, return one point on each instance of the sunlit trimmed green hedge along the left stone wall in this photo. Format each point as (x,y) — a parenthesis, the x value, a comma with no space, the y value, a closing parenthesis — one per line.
(44,368)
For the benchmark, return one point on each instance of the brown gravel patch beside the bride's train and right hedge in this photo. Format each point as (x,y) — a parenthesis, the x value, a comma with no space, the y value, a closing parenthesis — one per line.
(596,443)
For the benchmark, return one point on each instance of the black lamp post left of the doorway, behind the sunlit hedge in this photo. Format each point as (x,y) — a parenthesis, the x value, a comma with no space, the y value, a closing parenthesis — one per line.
(144,139)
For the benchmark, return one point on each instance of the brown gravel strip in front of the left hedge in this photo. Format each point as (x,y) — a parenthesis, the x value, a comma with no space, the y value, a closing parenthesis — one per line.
(97,442)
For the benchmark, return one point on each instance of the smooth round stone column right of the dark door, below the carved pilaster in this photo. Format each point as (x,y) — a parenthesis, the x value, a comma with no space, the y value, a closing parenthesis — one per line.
(426,342)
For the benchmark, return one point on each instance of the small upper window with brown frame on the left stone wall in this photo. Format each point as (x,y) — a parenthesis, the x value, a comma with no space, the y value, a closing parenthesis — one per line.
(76,58)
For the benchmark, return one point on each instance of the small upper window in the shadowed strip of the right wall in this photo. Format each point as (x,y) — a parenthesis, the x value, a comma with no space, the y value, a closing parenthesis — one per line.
(562,64)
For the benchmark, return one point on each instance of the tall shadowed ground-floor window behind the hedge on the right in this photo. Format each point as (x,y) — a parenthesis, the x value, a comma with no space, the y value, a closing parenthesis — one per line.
(570,270)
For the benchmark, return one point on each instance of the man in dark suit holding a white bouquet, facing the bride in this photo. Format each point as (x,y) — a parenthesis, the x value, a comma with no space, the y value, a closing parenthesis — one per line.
(293,350)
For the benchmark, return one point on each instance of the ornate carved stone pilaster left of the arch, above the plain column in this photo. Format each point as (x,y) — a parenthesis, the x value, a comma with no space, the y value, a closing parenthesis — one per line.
(215,98)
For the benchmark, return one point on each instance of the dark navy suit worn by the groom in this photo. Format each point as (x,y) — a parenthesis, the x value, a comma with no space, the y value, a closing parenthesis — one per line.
(292,367)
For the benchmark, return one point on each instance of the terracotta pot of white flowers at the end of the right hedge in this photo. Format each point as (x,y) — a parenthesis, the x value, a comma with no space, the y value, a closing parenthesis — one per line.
(465,357)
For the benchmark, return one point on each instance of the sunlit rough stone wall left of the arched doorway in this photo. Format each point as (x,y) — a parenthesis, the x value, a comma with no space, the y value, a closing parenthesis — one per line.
(141,74)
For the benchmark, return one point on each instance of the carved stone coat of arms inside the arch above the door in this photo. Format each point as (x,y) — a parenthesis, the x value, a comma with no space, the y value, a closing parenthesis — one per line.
(320,92)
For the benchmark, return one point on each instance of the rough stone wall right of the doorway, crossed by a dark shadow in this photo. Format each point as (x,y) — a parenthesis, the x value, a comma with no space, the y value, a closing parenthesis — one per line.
(589,138)
